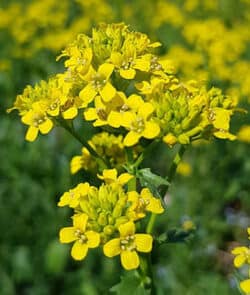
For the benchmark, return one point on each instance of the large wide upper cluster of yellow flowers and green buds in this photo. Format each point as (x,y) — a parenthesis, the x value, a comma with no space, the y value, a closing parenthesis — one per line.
(121,85)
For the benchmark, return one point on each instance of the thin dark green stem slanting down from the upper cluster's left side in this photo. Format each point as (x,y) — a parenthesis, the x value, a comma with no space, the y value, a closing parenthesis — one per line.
(71,130)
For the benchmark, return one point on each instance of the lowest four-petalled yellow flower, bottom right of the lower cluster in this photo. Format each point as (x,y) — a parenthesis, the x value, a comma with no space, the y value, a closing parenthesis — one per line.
(127,246)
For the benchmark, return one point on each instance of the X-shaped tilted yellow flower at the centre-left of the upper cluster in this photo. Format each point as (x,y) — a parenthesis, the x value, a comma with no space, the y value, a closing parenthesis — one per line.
(98,82)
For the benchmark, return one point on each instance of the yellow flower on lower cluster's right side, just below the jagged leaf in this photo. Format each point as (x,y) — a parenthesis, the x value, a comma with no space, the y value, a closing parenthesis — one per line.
(140,203)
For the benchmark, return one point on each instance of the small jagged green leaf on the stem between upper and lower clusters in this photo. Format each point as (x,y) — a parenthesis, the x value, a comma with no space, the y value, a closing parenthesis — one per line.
(151,180)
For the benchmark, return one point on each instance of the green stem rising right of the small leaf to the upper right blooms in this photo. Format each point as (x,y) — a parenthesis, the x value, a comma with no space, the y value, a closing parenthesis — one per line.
(171,174)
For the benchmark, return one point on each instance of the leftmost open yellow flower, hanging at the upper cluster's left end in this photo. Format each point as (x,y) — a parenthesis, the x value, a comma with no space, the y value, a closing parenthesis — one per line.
(37,120)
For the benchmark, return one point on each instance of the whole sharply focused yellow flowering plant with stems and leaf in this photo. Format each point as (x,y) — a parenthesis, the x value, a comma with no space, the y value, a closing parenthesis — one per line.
(116,82)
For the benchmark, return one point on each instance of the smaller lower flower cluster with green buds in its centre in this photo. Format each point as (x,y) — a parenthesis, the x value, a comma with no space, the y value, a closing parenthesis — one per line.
(107,216)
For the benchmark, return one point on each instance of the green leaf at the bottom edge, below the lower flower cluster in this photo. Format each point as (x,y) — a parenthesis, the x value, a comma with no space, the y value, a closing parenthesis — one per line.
(130,284)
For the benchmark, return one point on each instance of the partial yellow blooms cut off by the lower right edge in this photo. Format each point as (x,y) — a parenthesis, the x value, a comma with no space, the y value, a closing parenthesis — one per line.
(242,257)
